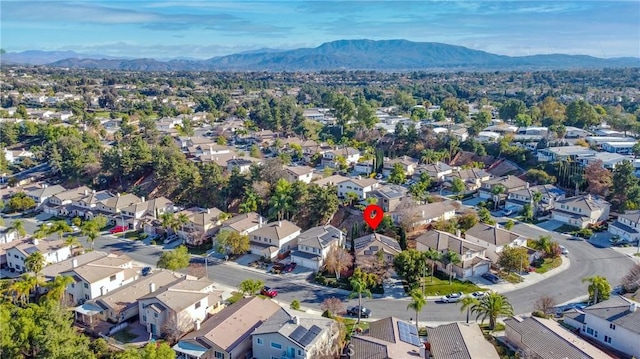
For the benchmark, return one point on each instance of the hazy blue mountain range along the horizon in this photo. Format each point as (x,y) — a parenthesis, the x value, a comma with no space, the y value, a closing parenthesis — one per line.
(384,55)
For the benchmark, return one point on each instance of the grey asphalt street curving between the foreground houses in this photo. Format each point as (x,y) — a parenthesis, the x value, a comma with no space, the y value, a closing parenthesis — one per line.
(586,260)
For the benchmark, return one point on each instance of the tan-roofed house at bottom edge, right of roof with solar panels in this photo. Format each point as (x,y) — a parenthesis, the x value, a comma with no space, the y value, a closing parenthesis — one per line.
(459,341)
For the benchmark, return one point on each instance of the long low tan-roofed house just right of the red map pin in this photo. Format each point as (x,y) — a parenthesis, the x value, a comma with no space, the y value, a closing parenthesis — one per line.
(416,216)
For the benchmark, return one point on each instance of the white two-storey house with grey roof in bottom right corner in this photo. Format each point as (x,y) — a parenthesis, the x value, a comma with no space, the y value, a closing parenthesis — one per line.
(614,323)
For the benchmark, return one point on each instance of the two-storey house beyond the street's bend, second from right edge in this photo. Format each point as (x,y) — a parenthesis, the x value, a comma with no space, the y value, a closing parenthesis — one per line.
(581,211)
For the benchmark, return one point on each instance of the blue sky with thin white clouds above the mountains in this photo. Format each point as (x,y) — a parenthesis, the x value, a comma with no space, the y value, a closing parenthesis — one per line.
(203,29)
